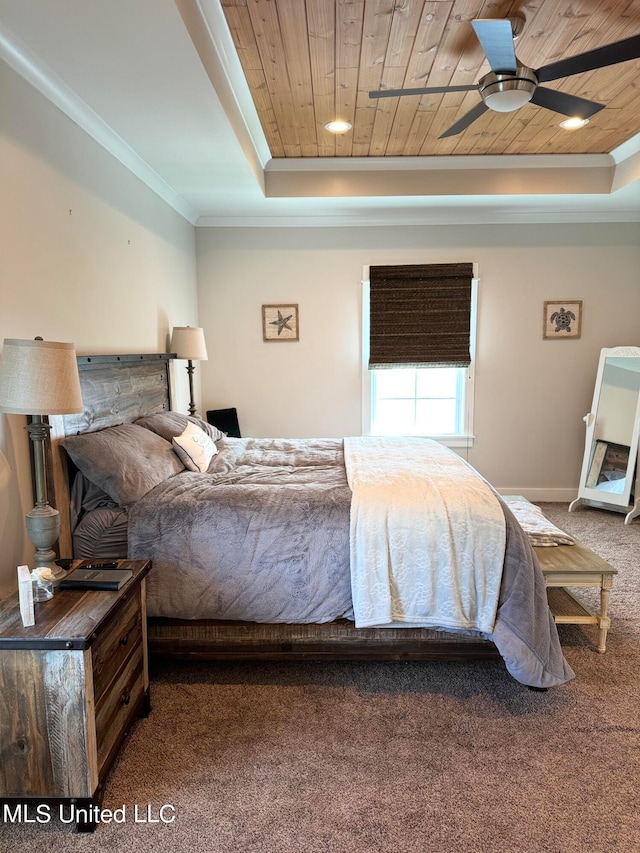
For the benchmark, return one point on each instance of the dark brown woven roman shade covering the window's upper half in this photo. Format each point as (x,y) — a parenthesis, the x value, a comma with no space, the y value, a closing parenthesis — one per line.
(420,315)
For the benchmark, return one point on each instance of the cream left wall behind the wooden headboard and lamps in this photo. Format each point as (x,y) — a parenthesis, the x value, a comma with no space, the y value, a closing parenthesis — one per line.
(88,254)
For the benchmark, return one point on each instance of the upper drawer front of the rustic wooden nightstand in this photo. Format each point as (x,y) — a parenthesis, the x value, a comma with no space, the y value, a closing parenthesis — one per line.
(116,642)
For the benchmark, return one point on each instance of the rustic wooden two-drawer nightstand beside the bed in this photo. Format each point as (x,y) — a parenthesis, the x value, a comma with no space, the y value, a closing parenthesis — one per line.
(70,688)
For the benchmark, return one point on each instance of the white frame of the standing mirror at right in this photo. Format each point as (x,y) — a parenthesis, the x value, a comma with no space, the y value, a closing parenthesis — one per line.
(596,497)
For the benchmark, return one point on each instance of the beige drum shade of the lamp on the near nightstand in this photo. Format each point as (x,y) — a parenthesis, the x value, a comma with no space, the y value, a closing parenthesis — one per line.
(39,378)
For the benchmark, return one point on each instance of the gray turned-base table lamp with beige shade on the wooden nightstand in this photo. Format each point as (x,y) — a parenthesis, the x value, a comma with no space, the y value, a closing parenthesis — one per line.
(39,378)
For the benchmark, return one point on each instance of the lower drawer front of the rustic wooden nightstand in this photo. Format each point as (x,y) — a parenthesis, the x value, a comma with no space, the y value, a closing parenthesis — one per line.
(119,704)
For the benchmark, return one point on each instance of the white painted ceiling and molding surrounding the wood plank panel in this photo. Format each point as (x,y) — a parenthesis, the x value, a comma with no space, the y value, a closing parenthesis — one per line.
(158,84)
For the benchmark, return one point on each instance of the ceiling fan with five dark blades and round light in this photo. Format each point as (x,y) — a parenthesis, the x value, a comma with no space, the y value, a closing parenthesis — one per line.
(510,85)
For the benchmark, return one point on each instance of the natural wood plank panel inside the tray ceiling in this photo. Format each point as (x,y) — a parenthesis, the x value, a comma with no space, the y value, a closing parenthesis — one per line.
(310,61)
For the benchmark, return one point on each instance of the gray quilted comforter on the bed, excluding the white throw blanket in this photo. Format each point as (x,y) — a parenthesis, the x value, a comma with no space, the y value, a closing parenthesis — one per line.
(263,536)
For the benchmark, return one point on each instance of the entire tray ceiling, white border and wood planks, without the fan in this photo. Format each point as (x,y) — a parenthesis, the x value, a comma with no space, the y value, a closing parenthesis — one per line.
(220,105)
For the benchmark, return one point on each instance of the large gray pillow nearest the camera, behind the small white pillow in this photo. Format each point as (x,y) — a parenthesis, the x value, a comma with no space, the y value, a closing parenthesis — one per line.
(126,461)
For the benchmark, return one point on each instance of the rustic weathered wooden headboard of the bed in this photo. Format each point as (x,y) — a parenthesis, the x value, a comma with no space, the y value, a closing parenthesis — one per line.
(116,389)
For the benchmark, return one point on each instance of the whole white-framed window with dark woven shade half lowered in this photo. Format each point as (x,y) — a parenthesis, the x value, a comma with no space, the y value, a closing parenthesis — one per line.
(421,398)
